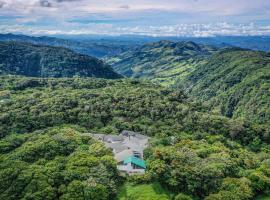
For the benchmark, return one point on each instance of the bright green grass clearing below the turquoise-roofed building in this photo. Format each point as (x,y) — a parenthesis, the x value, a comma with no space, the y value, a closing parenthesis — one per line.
(152,191)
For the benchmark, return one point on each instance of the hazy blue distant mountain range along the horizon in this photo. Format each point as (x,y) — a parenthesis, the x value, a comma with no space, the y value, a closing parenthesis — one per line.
(108,46)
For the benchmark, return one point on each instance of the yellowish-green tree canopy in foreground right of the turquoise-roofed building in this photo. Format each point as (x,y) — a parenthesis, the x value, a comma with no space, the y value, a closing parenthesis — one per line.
(210,167)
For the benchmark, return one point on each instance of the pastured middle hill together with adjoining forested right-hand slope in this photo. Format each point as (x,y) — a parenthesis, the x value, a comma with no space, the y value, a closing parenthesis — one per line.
(234,82)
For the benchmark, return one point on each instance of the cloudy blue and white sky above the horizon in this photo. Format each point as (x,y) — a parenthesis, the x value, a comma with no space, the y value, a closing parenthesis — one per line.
(197,18)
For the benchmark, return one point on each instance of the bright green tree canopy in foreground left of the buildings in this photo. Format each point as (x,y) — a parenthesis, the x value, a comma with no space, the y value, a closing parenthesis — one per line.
(56,163)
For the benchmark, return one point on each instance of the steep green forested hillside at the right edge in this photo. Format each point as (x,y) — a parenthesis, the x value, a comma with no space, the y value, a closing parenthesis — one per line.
(235,82)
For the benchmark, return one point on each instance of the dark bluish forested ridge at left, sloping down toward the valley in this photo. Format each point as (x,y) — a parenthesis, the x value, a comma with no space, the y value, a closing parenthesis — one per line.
(43,61)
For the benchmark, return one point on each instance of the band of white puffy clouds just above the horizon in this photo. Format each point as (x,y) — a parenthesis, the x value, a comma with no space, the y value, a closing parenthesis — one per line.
(187,30)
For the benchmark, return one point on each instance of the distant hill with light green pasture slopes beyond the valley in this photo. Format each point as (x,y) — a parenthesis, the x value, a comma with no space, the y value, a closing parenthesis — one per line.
(163,61)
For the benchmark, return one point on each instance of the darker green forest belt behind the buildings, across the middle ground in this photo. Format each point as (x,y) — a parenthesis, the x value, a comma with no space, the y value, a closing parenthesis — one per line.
(29,104)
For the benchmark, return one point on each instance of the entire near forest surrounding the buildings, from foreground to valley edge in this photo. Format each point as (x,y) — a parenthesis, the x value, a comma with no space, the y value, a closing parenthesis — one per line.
(45,152)
